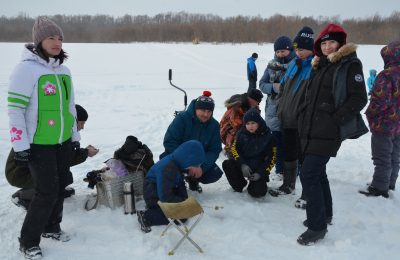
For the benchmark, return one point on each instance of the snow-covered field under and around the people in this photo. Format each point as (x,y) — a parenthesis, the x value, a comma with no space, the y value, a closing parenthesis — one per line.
(126,91)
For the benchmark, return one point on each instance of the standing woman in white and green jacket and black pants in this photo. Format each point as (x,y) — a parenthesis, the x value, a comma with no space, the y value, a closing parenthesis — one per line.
(43,130)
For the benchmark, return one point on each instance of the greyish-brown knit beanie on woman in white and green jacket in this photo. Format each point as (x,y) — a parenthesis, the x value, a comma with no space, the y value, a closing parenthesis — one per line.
(44,28)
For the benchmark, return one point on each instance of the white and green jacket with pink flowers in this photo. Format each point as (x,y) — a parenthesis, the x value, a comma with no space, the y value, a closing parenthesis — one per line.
(41,105)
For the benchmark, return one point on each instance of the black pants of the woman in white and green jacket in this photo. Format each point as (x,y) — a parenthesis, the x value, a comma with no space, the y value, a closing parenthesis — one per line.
(49,166)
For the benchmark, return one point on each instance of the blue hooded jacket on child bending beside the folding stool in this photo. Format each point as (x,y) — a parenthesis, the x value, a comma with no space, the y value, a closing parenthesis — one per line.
(164,181)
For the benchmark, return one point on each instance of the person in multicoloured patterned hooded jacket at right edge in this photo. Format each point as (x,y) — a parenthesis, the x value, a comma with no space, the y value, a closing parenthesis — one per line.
(383,115)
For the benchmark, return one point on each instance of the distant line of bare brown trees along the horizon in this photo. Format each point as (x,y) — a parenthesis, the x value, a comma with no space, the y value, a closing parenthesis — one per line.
(197,28)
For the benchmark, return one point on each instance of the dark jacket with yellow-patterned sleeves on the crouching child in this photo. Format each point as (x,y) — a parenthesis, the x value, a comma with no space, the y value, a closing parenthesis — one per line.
(255,149)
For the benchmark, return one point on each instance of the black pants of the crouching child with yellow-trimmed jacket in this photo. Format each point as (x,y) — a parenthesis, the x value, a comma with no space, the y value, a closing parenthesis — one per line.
(235,178)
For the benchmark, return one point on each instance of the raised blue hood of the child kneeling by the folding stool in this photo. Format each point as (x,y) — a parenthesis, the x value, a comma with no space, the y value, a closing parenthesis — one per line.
(189,153)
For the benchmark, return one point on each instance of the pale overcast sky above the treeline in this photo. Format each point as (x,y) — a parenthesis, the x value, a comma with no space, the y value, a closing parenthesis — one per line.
(224,8)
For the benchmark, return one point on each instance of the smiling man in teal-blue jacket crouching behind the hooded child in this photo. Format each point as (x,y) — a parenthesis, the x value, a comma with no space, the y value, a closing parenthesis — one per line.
(197,123)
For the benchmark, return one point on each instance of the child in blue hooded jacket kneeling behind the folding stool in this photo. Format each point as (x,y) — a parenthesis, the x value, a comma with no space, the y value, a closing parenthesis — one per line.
(165,182)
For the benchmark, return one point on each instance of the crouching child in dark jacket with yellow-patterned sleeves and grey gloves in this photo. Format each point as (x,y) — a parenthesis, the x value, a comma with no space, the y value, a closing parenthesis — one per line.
(254,156)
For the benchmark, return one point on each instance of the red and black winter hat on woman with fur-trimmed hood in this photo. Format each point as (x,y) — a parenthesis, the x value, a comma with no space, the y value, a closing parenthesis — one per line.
(330,32)
